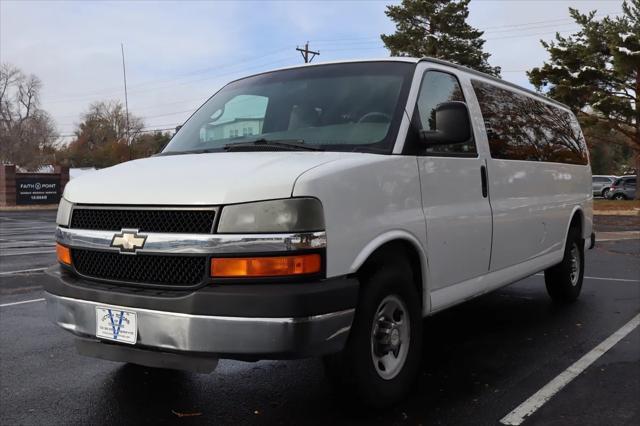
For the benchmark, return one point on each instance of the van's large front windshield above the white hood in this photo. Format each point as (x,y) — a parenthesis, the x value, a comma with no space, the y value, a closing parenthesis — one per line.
(337,107)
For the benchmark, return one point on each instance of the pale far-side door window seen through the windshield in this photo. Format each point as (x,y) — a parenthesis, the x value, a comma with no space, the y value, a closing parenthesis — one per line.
(239,117)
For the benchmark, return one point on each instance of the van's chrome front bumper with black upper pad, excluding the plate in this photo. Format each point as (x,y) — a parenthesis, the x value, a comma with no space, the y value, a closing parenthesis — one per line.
(290,327)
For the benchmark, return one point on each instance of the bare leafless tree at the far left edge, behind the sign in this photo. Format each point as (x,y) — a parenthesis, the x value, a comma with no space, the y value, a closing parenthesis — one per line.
(27,133)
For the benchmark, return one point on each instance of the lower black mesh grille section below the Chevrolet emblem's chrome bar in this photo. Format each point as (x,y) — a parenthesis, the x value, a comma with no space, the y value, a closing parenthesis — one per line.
(140,268)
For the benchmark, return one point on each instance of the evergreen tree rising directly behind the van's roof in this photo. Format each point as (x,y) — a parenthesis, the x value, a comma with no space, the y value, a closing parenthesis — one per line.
(437,28)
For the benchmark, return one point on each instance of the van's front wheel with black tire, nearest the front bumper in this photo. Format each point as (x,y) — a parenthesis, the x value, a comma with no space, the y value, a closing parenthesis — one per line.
(353,372)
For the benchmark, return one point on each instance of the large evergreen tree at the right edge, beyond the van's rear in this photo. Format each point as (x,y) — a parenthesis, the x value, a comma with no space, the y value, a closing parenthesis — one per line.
(596,71)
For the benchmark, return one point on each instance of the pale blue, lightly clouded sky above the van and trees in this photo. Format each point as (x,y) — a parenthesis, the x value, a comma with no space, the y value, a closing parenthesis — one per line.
(179,53)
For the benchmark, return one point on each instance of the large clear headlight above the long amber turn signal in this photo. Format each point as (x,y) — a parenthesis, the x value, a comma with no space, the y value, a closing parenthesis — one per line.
(288,215)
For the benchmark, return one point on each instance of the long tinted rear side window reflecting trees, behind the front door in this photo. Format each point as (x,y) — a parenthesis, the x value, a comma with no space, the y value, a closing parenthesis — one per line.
(520,127)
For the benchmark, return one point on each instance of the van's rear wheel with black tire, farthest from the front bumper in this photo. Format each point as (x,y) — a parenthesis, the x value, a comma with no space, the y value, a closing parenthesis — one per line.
(564,280)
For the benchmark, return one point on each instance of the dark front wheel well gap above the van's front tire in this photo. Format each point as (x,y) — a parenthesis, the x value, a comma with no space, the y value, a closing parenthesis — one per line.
(387,252)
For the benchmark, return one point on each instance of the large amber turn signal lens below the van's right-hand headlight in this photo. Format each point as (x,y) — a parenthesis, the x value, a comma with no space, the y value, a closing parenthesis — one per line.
(234,267)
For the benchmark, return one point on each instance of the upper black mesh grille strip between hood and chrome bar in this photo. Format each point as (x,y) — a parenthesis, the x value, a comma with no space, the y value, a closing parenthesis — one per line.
(153,220)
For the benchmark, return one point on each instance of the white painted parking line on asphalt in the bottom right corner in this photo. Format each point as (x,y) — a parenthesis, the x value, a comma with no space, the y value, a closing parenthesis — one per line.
(539,398)
